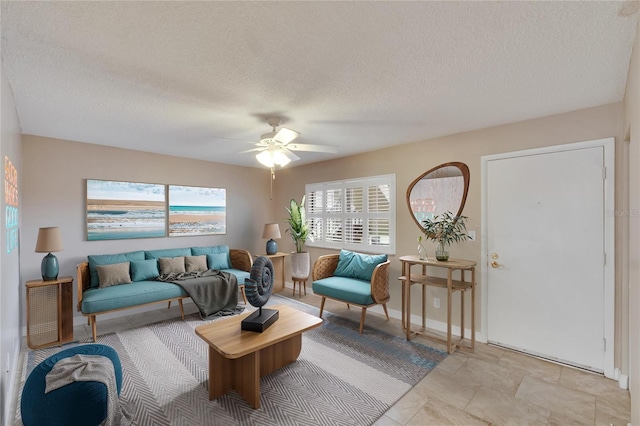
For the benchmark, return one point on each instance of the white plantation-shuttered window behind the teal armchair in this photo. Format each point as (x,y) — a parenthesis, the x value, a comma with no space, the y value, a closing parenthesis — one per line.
(355,214)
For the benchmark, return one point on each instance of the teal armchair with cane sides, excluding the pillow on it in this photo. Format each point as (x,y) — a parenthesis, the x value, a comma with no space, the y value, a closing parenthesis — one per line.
(350,290)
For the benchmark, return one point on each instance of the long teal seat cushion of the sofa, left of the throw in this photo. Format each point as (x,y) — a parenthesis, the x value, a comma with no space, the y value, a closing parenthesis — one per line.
(124,296)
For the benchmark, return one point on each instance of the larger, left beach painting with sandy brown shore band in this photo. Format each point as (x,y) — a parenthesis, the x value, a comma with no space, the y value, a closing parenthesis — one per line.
(122,210)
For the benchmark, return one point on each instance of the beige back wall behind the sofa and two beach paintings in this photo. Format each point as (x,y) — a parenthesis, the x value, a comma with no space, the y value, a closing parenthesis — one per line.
(55,174)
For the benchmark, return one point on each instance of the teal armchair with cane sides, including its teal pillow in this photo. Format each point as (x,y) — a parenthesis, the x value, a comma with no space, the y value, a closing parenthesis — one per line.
(353,278)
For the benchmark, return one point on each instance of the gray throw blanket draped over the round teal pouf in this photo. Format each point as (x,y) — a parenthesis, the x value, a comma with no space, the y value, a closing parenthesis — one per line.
(90,368)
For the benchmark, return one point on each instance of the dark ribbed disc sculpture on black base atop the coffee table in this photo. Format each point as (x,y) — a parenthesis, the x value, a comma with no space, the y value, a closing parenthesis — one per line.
(258,290)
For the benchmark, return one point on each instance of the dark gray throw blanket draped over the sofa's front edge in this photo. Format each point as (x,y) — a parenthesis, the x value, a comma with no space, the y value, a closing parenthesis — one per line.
(214,292)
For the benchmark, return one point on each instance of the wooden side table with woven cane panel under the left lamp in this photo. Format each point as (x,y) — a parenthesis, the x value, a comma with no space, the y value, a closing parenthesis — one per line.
(49,312)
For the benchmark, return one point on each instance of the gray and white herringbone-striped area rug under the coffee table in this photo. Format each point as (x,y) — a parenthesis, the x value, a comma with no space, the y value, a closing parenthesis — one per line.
(340,378)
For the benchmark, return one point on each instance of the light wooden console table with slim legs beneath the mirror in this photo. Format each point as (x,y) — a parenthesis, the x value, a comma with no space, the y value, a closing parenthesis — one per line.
(462,285)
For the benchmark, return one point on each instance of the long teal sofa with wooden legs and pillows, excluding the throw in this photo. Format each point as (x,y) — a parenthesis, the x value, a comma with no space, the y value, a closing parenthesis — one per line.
(112,282)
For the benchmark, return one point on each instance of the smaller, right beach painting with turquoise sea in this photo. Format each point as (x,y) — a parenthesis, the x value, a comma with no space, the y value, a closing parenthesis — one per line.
(196,210)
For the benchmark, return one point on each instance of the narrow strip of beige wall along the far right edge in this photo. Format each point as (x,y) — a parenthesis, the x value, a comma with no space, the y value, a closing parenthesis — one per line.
(632,214)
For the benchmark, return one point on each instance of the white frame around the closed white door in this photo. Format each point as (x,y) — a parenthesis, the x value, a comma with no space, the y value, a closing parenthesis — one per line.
(608,145)
